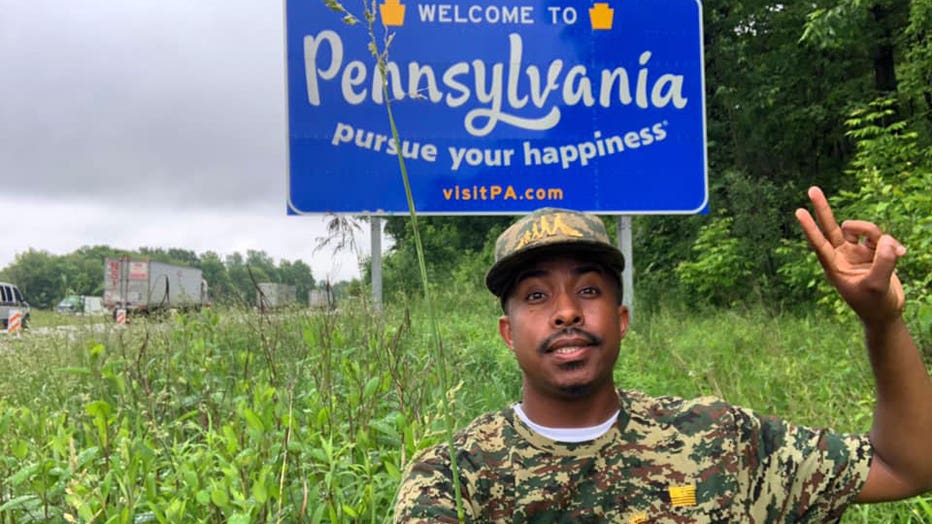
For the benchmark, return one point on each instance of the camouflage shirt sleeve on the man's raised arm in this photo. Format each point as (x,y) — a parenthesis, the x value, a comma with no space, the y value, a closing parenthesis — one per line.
(800,474)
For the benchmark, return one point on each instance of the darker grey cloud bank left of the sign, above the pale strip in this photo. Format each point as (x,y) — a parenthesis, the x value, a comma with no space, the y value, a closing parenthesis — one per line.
(170,103)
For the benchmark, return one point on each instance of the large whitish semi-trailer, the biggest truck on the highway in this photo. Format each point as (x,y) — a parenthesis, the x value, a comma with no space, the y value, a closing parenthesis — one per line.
(147,285)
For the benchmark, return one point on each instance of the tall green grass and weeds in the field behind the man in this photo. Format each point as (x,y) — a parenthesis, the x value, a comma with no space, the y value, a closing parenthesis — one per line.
(308,416)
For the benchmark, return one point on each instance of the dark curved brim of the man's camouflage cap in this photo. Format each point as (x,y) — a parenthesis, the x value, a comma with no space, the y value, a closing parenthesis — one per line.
(501,275)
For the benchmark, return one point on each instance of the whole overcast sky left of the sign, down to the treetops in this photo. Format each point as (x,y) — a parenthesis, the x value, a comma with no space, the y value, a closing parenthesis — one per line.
(157,123)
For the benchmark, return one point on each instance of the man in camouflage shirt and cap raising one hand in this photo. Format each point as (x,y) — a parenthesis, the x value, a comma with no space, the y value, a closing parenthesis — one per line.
(576,449)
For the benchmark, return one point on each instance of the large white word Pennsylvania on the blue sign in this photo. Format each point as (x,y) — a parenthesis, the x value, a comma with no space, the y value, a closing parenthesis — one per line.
(496,91)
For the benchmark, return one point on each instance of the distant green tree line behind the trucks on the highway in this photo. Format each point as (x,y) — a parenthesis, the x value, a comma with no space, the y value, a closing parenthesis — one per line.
(45,278)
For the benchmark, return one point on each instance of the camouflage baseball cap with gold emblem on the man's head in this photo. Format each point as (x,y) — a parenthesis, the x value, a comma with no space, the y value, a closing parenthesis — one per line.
(548,232)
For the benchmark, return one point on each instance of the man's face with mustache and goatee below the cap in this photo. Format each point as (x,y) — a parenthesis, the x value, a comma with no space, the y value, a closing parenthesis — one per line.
(564,324)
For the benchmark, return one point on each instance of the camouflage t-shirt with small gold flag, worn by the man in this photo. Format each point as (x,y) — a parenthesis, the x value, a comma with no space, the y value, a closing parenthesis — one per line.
(666,460)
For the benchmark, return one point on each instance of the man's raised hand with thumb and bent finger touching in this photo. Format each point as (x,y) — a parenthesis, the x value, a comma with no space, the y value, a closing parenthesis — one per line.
(858,259)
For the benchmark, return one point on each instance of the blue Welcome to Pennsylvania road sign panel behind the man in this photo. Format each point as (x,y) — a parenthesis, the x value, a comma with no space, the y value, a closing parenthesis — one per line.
(501,108)
